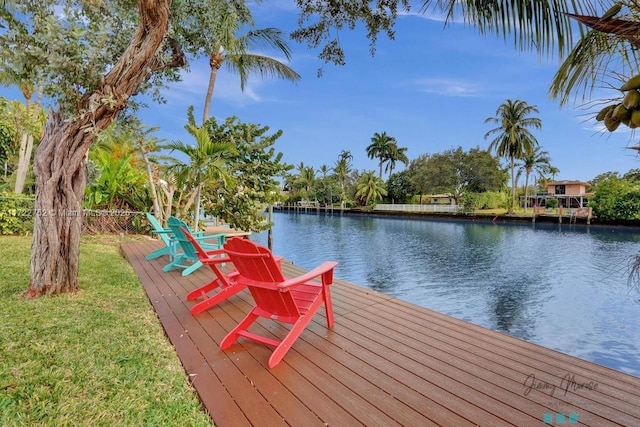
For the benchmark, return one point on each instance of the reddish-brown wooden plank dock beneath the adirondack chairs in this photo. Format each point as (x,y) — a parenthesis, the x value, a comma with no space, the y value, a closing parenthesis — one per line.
(385,362)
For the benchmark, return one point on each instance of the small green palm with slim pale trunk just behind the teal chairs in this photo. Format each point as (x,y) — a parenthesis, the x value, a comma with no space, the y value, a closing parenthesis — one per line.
(206,161)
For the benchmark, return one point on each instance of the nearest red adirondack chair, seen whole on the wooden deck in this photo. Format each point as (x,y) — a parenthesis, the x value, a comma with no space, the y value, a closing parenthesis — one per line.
(292,301)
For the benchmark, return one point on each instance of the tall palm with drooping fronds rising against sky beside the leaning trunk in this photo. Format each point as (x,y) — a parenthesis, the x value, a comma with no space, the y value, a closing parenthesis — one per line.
(233,51)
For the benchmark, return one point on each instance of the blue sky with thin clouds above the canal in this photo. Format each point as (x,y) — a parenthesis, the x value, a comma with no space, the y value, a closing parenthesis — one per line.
(431,88)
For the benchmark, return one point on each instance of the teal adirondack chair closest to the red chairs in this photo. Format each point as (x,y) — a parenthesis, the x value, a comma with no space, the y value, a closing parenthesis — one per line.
(188,260)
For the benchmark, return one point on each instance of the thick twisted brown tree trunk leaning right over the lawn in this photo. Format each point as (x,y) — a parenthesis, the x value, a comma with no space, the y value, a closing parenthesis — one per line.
(60,163)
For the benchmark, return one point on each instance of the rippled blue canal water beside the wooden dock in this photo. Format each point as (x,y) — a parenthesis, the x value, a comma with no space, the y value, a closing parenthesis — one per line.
(561,286)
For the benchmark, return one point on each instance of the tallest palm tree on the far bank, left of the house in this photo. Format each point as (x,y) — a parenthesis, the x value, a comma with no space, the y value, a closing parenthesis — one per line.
(513,140)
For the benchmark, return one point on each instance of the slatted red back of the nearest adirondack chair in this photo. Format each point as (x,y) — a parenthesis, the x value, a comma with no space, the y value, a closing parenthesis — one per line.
(260,271)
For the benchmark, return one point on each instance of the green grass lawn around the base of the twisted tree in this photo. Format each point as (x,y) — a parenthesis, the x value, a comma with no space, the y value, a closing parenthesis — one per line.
(98,357)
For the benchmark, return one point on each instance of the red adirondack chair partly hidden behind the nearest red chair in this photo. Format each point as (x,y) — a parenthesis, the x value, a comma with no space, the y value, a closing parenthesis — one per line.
(226,284)
